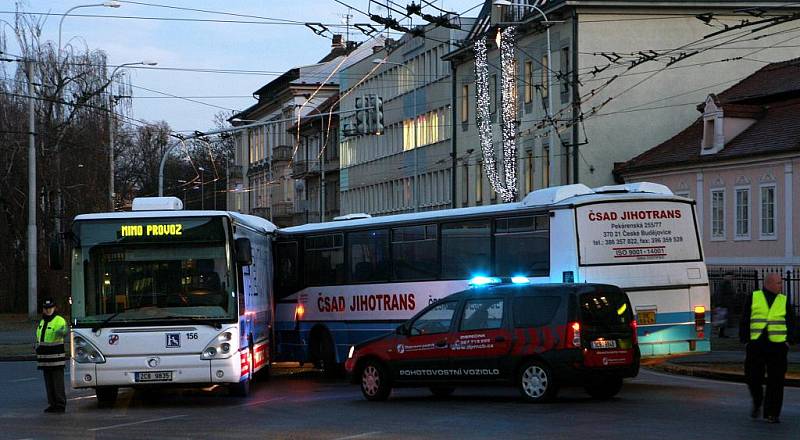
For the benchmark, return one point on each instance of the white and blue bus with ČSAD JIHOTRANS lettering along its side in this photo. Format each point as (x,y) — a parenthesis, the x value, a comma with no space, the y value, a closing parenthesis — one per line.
(340,283)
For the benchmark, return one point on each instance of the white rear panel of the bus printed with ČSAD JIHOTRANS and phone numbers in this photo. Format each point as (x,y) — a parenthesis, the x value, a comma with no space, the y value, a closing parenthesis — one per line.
(636,232)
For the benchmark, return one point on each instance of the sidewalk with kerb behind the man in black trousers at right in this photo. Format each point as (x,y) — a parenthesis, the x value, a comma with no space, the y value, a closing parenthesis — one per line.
(725,362)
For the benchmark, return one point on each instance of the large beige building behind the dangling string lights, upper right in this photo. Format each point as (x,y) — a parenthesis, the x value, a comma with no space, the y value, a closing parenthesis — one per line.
(623,76)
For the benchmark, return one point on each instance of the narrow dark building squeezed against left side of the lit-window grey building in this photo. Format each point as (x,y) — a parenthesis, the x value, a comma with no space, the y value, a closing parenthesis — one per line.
(316,164)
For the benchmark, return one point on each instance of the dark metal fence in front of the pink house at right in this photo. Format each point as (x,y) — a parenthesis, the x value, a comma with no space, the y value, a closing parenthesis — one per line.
(731,285)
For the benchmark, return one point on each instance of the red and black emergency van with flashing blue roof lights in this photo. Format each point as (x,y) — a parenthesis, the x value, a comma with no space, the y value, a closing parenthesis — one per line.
(535,337)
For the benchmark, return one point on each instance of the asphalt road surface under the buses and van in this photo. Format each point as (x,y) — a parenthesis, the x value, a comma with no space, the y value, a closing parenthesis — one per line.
(306,405)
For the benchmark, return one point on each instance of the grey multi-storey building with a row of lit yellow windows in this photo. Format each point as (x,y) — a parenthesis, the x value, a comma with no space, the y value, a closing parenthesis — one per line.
(405,167)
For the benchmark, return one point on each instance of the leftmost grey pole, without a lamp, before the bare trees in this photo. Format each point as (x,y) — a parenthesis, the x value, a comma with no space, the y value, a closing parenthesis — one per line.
(32,245)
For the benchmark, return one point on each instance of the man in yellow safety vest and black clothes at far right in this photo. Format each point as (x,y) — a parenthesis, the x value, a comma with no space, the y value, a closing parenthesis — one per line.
(767,327)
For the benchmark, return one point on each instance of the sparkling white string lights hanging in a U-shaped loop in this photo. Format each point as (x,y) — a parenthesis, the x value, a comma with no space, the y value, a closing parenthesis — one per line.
(506,188)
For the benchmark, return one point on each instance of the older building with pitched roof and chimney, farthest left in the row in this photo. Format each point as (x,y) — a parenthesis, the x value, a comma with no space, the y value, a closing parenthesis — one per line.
(266,150)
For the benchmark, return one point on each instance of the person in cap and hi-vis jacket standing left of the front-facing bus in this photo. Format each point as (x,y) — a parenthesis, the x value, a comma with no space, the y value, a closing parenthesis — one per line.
(50,355)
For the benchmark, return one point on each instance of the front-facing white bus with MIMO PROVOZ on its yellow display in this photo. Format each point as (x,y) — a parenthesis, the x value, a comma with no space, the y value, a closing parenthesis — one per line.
(162,296)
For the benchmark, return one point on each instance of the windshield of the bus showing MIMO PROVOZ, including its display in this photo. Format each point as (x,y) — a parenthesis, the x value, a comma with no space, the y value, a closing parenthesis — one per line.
(147,271)
